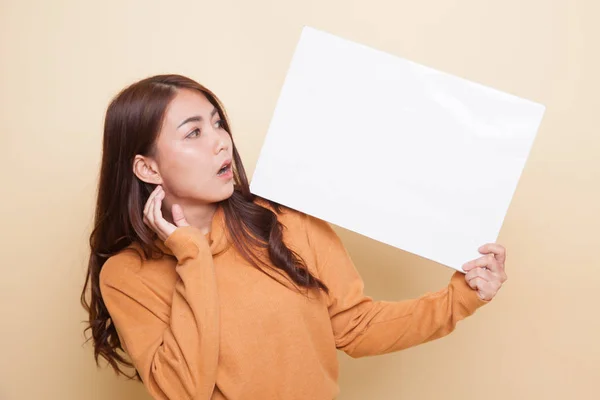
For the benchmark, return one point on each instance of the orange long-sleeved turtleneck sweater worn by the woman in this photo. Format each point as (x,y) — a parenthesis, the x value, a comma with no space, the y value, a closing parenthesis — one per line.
(201,323)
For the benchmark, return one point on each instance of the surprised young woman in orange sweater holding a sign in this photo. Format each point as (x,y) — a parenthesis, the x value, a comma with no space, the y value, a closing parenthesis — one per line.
(210,292)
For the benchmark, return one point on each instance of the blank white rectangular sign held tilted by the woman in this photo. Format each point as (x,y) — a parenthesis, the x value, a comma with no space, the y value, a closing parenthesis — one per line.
(413,157)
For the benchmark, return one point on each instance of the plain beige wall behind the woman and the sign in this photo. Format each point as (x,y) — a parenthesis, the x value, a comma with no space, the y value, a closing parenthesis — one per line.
(61,61)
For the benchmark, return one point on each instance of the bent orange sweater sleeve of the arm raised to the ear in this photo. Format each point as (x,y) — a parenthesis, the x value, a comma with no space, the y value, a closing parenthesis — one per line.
(174,350)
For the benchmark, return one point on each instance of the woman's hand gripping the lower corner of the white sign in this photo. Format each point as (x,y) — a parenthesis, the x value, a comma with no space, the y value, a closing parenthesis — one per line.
(486,274)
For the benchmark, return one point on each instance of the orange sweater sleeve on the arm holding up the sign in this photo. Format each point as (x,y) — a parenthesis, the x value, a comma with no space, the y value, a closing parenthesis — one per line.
(363,327)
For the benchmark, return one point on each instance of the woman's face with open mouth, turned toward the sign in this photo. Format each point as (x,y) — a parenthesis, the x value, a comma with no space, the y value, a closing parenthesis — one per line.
(191,149)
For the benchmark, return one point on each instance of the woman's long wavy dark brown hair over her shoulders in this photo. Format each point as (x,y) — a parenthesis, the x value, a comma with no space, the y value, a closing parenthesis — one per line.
(132,123)
